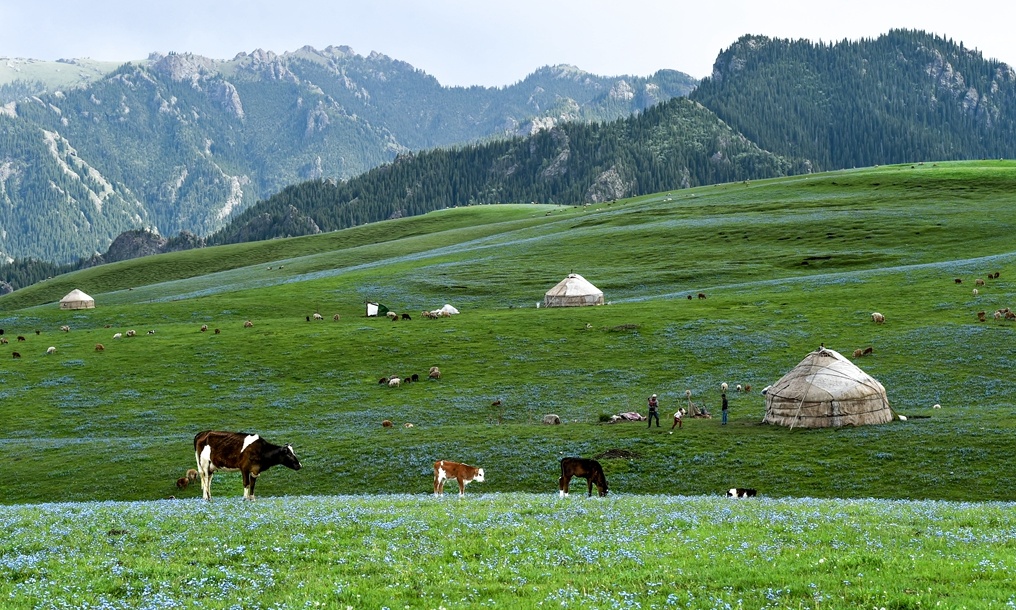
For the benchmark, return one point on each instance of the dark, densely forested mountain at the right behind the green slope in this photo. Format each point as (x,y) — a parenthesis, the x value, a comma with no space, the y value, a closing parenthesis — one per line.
(907,96)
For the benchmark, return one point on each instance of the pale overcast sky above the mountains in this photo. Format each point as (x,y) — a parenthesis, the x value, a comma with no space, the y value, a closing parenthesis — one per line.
(483,42)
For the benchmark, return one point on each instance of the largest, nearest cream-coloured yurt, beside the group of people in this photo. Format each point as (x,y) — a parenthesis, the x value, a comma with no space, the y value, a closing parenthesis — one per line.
(827,391)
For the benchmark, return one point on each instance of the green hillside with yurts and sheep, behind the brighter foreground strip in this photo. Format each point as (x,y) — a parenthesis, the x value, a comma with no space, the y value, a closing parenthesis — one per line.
(786,265)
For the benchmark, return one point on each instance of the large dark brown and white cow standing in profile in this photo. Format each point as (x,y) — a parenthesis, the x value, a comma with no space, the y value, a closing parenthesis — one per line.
(249,454)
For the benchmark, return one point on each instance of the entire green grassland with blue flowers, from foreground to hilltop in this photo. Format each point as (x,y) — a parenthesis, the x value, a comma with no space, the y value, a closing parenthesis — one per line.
(93,440)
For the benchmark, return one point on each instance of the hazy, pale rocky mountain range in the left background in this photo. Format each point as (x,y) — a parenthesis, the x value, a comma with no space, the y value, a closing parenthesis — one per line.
(183,143)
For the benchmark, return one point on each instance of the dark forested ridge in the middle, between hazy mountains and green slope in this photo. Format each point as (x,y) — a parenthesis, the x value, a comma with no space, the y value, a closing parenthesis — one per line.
(673,146)
